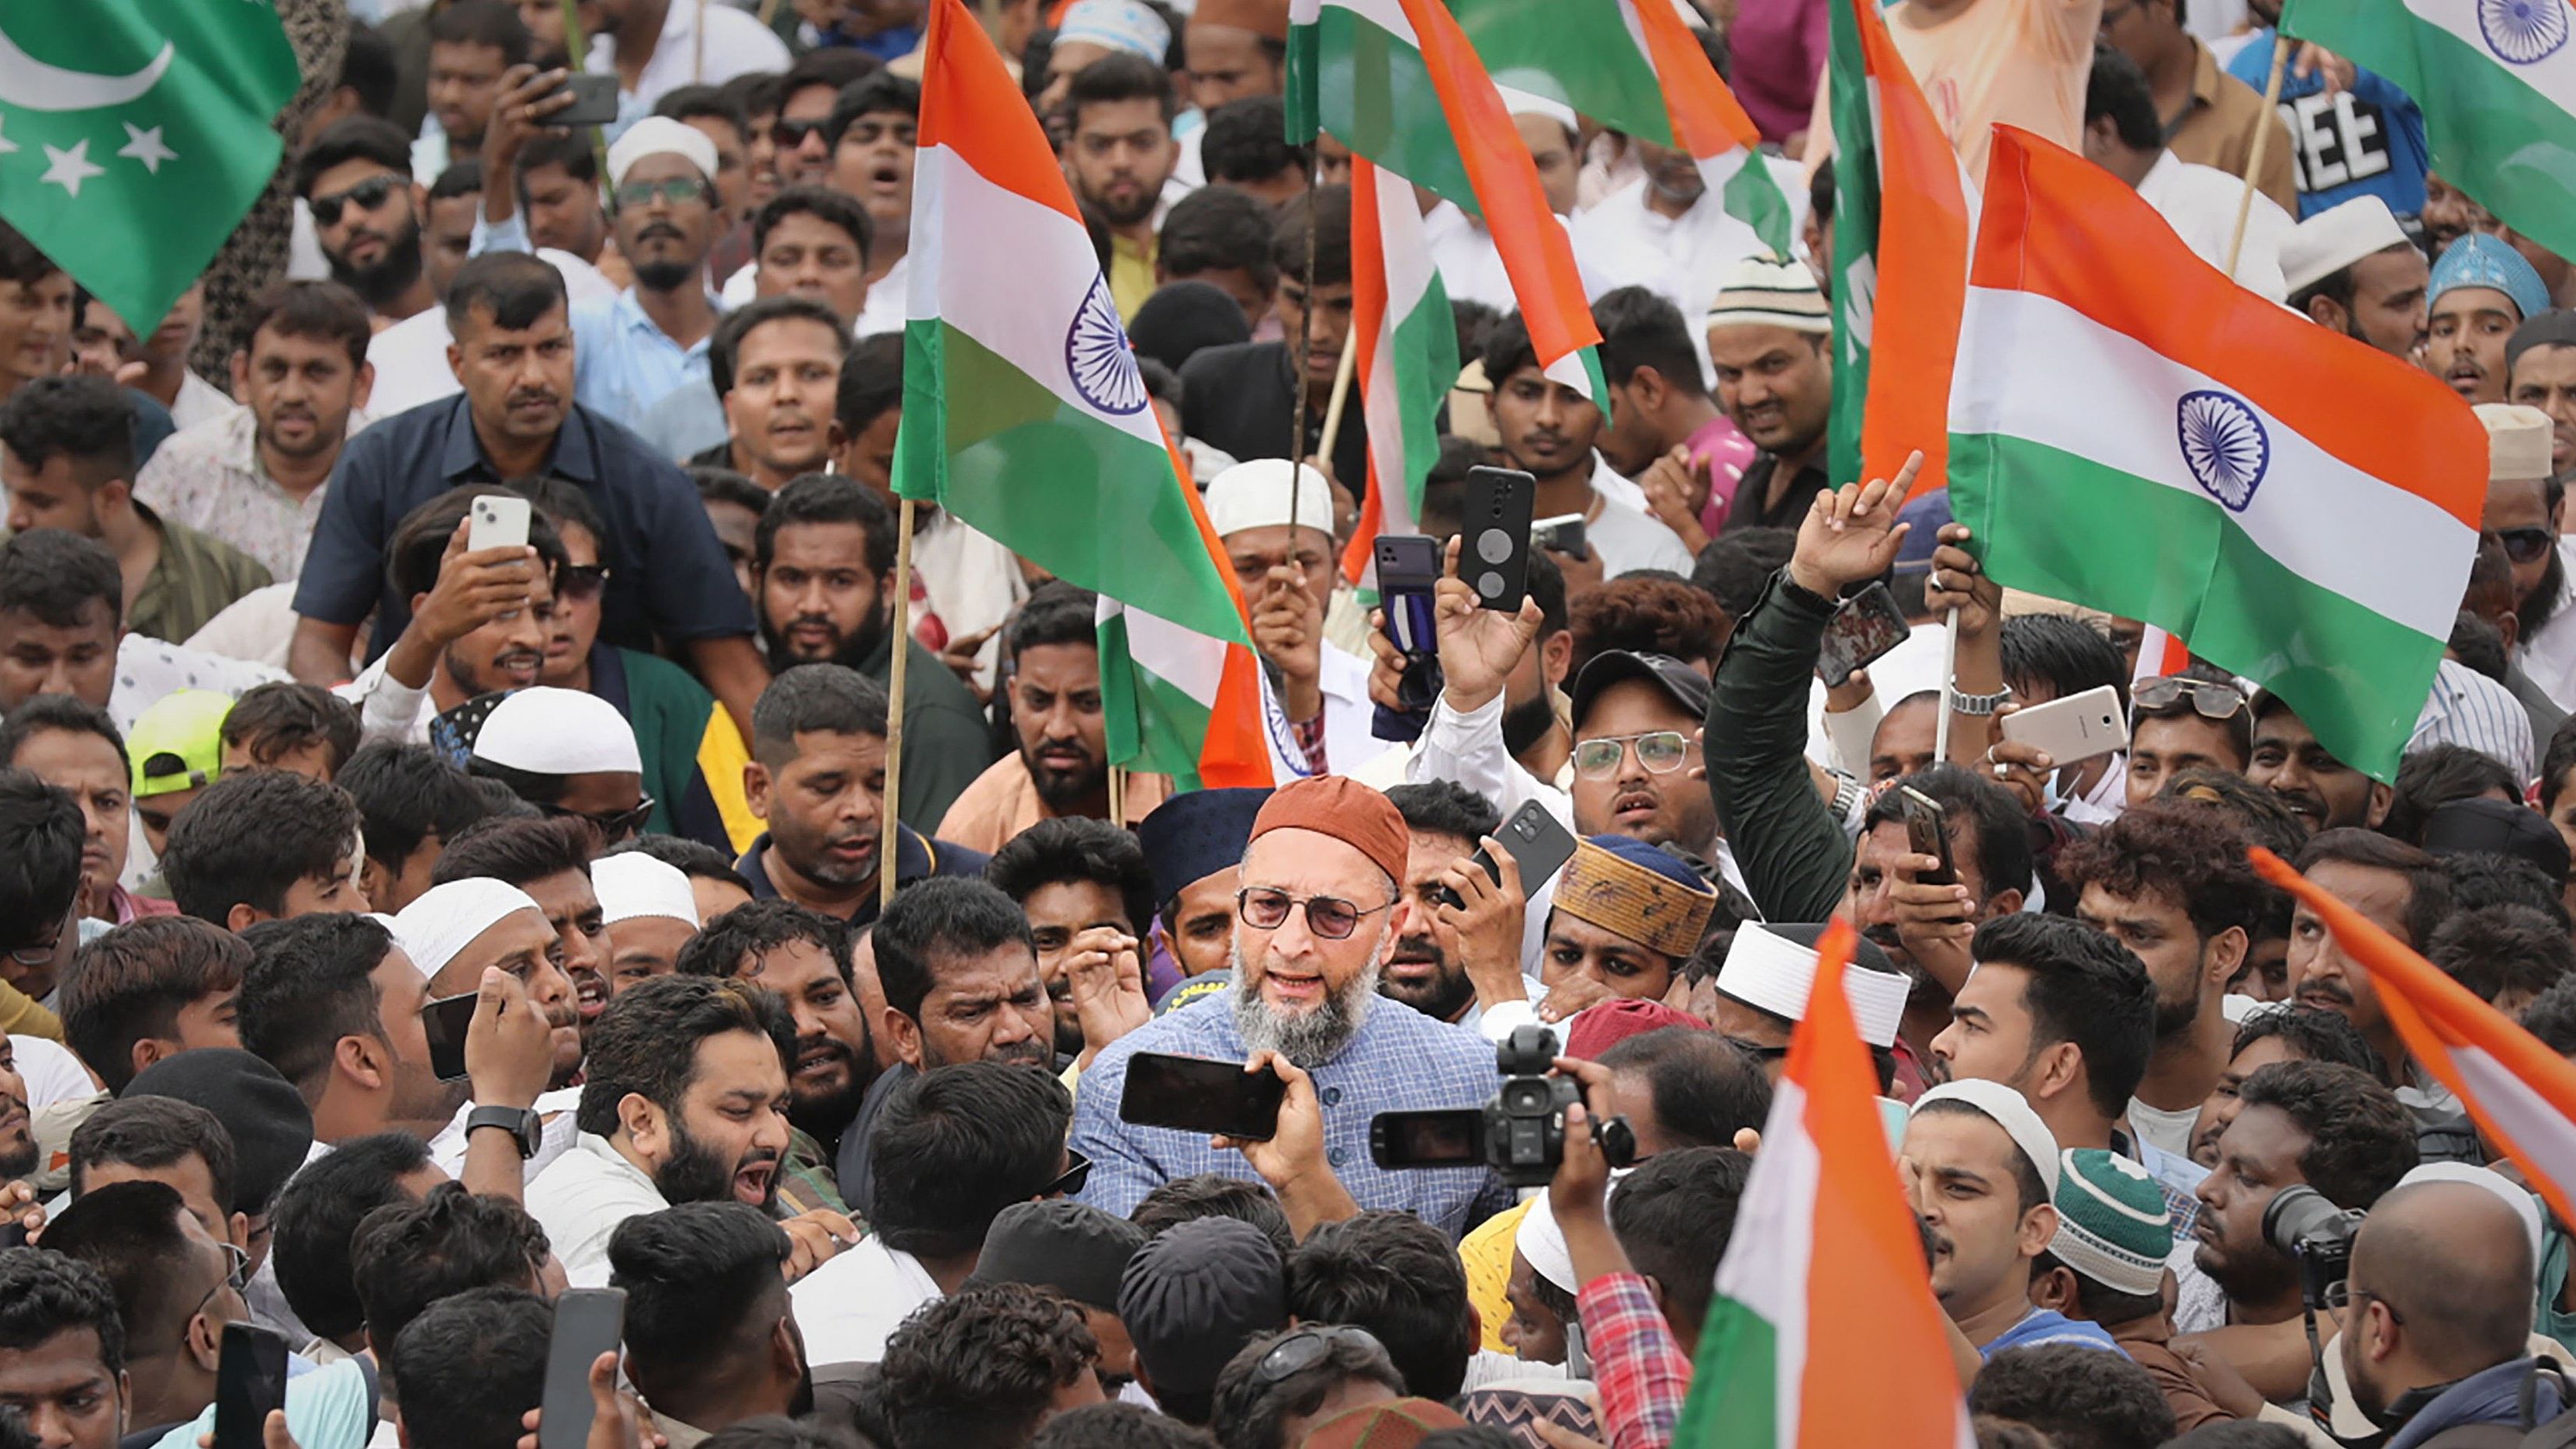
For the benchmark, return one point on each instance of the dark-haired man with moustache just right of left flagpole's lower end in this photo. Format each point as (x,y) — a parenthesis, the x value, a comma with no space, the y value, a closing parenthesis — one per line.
(960,971)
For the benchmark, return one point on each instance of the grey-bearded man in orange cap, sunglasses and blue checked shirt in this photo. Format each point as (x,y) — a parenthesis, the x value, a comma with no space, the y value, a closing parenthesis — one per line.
(1312,929)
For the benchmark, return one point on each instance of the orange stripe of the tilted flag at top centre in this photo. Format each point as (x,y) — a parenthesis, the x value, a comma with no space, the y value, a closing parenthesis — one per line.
(1534,246)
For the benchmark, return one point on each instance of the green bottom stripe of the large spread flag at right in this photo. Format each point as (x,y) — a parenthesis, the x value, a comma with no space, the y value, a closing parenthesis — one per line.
(2070,527)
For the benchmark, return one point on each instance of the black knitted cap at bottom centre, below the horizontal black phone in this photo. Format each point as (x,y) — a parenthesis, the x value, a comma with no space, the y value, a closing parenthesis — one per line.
(1197,1296)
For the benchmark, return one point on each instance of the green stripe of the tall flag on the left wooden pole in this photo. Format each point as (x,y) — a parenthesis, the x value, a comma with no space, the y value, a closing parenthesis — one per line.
(1034,473)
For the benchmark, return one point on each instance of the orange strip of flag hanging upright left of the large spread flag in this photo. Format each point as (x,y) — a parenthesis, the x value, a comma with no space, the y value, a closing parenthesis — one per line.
(1923,272)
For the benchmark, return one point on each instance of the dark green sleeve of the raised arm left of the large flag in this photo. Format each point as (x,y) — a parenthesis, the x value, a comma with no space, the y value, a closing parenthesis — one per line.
(1794,855)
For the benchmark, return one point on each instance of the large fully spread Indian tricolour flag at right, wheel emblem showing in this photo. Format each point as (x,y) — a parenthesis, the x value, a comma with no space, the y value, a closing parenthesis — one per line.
(2137,434)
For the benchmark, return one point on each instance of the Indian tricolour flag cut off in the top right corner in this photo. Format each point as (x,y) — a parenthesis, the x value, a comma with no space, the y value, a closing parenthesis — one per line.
(2497,84)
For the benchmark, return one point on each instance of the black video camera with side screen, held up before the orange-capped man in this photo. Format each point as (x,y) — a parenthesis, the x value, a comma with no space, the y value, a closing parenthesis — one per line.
(1521,1133)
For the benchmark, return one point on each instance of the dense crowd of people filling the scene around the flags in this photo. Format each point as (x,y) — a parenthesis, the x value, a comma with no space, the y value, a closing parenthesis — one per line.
(403,932)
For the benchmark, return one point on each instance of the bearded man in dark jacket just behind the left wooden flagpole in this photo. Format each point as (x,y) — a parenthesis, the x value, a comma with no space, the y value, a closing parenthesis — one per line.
(823,569)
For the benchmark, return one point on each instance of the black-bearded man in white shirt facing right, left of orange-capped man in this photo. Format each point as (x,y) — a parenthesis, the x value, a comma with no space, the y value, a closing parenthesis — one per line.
(684,1100)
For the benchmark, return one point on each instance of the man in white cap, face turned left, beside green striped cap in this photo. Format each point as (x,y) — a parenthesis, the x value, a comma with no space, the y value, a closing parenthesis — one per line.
(1982,1172)
